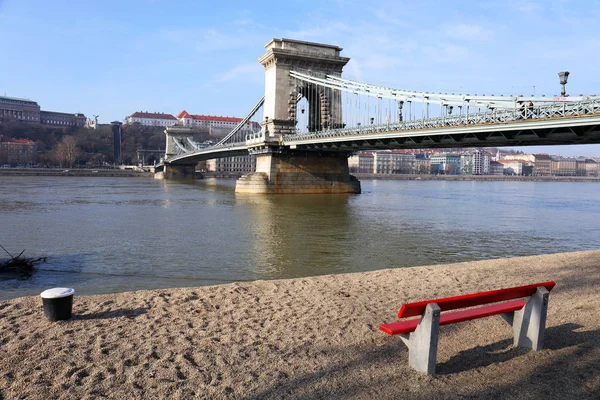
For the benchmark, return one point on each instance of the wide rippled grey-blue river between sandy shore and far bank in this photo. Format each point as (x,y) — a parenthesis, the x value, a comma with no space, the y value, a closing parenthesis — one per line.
(105,235)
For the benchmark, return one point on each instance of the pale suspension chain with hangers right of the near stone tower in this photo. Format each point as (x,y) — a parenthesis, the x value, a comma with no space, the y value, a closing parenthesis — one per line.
(367,105)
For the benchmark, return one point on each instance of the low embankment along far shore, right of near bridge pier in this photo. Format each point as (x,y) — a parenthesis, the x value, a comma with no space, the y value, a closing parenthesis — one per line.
(423,177)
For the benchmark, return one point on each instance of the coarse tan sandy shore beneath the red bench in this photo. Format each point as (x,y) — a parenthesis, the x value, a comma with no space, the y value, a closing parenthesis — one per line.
(306,338)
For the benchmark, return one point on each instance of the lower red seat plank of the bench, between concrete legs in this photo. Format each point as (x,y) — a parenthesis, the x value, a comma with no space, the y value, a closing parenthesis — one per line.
(399,327)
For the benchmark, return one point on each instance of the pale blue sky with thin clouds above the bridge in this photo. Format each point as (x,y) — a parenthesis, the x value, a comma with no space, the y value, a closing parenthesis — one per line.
(115,57)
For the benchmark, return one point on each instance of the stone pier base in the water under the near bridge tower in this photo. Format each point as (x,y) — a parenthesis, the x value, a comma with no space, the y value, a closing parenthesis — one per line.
(298,173)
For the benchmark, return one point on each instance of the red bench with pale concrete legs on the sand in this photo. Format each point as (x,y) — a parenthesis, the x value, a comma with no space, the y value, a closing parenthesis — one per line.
(523,307)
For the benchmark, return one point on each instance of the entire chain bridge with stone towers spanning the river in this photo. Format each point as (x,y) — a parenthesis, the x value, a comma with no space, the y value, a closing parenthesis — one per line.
(311,119)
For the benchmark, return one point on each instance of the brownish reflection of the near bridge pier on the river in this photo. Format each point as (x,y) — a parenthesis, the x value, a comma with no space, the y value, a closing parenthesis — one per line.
(310,230)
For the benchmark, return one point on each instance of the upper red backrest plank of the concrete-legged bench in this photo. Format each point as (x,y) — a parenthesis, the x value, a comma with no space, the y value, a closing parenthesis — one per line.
(474,299)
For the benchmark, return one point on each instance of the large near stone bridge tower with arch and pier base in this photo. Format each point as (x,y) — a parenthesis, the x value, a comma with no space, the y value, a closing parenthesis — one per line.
(284,170)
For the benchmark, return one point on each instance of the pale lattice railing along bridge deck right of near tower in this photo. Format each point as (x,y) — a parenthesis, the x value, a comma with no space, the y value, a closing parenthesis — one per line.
(555,110)
